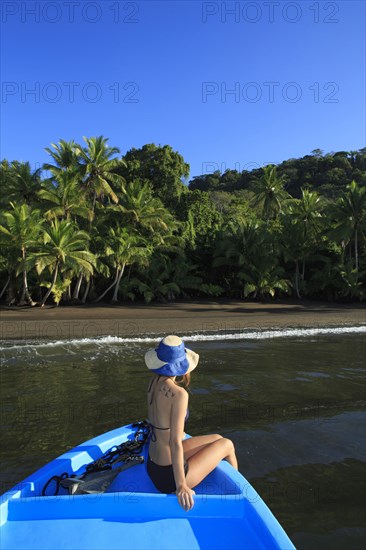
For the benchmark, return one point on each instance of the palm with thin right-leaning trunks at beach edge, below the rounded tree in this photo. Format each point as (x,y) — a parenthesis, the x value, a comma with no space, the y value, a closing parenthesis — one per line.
(124,248)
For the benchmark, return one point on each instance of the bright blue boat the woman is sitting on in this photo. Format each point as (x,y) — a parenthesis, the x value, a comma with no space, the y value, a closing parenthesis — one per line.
(131,514)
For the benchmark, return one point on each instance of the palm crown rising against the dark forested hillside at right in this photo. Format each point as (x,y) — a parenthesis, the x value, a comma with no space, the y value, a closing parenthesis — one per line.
(270,193)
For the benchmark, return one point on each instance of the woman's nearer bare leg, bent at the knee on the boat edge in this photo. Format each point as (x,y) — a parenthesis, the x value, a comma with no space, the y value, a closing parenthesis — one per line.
(201,463)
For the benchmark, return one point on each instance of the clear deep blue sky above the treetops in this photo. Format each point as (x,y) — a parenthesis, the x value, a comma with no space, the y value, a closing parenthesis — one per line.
(160,72)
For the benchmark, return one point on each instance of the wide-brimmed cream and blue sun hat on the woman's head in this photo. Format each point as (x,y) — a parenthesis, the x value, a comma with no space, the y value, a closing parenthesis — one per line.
(171,357)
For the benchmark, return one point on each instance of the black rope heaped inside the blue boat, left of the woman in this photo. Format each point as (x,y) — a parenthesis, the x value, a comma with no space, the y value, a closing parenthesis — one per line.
(126,452)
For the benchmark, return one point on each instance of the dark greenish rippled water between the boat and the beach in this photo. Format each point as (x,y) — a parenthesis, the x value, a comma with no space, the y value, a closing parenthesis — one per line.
(294,405)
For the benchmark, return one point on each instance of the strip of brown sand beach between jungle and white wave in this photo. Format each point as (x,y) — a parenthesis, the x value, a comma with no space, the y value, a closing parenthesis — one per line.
(136,319)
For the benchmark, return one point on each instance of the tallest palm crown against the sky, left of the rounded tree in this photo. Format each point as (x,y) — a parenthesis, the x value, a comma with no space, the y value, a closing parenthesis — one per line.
(100,169)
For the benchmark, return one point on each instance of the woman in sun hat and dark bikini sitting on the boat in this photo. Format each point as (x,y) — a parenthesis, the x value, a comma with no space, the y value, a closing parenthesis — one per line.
(176,464)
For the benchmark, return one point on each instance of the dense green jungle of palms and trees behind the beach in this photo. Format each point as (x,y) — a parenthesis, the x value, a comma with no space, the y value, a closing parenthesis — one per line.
(94,225)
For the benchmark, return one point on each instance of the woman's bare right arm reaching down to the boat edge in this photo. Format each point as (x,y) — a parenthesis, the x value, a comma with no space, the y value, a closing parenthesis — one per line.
(178,413)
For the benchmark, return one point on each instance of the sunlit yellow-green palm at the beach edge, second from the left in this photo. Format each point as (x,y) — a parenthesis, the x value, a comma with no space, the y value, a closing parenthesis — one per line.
(64,245)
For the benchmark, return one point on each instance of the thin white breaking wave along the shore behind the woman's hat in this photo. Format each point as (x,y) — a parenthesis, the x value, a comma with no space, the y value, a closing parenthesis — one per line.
(201,337)
